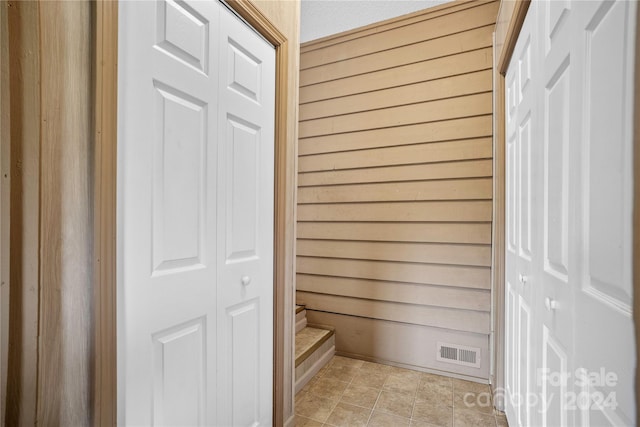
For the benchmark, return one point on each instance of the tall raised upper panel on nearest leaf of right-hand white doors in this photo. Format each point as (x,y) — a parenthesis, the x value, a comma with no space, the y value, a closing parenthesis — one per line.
(608,163)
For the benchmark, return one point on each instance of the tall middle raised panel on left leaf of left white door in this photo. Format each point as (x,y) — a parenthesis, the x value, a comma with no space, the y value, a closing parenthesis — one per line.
(179,180)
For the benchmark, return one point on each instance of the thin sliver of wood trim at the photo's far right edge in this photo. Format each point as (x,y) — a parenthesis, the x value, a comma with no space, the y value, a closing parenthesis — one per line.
(636,209)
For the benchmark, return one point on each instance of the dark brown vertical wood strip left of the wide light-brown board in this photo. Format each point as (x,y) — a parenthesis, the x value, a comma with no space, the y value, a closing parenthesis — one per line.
(24,78)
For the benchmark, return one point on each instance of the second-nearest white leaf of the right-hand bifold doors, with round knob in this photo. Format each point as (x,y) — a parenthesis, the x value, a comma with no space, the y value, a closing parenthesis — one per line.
(559,87)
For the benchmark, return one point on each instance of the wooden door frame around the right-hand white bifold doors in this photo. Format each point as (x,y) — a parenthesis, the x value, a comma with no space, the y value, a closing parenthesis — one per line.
(511,15)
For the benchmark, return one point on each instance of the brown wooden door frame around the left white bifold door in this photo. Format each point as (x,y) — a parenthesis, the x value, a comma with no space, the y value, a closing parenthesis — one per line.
(106,89)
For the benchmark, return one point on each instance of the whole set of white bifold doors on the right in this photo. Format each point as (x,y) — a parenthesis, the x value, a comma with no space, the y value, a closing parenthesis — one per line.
(576,303)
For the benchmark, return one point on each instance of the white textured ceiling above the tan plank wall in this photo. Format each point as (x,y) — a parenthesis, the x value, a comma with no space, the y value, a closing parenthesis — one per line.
(320,18)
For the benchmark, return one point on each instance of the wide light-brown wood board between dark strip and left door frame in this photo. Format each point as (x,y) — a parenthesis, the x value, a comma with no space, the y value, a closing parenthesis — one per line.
(65,353)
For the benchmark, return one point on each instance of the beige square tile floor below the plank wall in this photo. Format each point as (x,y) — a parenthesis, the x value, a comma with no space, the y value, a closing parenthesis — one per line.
(351,393)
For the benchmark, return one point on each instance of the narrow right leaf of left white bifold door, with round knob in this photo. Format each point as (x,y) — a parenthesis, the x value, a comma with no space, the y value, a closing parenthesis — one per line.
(245,224)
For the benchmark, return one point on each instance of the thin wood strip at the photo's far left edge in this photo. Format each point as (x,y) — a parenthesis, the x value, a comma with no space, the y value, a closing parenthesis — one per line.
(5,182)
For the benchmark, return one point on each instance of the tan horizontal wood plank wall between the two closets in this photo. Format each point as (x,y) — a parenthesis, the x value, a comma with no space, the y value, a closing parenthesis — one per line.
(395,172)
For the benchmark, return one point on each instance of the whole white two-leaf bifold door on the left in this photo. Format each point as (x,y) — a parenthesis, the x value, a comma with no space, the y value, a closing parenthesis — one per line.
(178,215)
